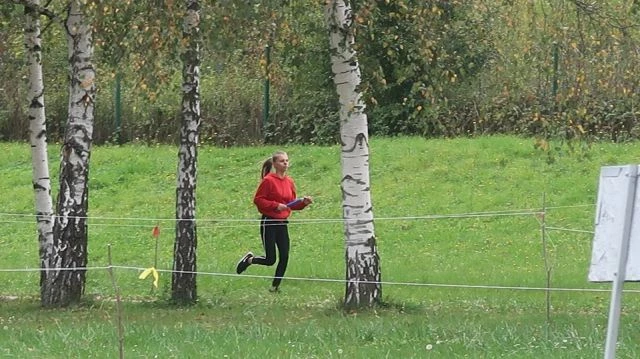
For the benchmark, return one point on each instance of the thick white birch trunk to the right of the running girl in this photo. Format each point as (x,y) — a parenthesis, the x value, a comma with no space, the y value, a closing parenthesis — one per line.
(363,286)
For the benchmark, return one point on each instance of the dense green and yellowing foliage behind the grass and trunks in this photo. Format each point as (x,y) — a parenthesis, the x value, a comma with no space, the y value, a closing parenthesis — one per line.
(439,68)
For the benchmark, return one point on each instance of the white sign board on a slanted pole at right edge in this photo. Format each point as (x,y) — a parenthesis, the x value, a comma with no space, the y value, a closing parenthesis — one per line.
(615,190)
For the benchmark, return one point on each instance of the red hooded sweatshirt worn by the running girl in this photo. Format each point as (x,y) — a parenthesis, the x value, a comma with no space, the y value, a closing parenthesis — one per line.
(274,190)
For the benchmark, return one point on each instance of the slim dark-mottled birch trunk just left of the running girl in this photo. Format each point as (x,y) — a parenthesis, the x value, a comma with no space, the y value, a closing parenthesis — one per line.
(183,283)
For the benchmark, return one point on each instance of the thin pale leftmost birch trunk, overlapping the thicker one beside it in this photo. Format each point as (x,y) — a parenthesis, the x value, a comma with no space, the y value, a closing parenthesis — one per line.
(38,140)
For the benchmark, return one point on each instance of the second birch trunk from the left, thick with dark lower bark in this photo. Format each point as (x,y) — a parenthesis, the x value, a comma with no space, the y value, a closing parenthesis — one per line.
(70,229)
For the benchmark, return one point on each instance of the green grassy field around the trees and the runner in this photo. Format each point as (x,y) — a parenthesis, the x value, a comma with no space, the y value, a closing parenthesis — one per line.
(462,255)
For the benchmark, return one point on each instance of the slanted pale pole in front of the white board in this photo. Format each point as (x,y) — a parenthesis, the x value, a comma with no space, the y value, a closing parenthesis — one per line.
(618,281)
